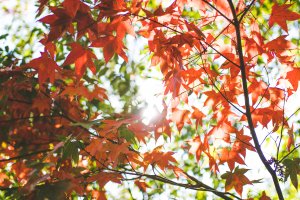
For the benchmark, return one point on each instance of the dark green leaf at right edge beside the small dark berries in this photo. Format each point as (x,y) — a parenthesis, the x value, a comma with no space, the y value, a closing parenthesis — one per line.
(292,169)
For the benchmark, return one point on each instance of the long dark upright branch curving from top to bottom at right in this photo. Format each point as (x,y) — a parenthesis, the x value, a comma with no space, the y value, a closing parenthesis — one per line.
(247,103)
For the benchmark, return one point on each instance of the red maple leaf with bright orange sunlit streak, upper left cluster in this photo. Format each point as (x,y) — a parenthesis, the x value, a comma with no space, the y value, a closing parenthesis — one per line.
(83,59)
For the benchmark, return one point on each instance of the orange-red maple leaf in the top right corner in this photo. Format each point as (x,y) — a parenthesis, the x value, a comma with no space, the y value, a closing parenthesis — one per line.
(280,14)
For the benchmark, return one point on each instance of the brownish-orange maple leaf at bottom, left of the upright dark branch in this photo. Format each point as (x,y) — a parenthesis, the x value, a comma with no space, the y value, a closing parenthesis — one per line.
(236,179)
